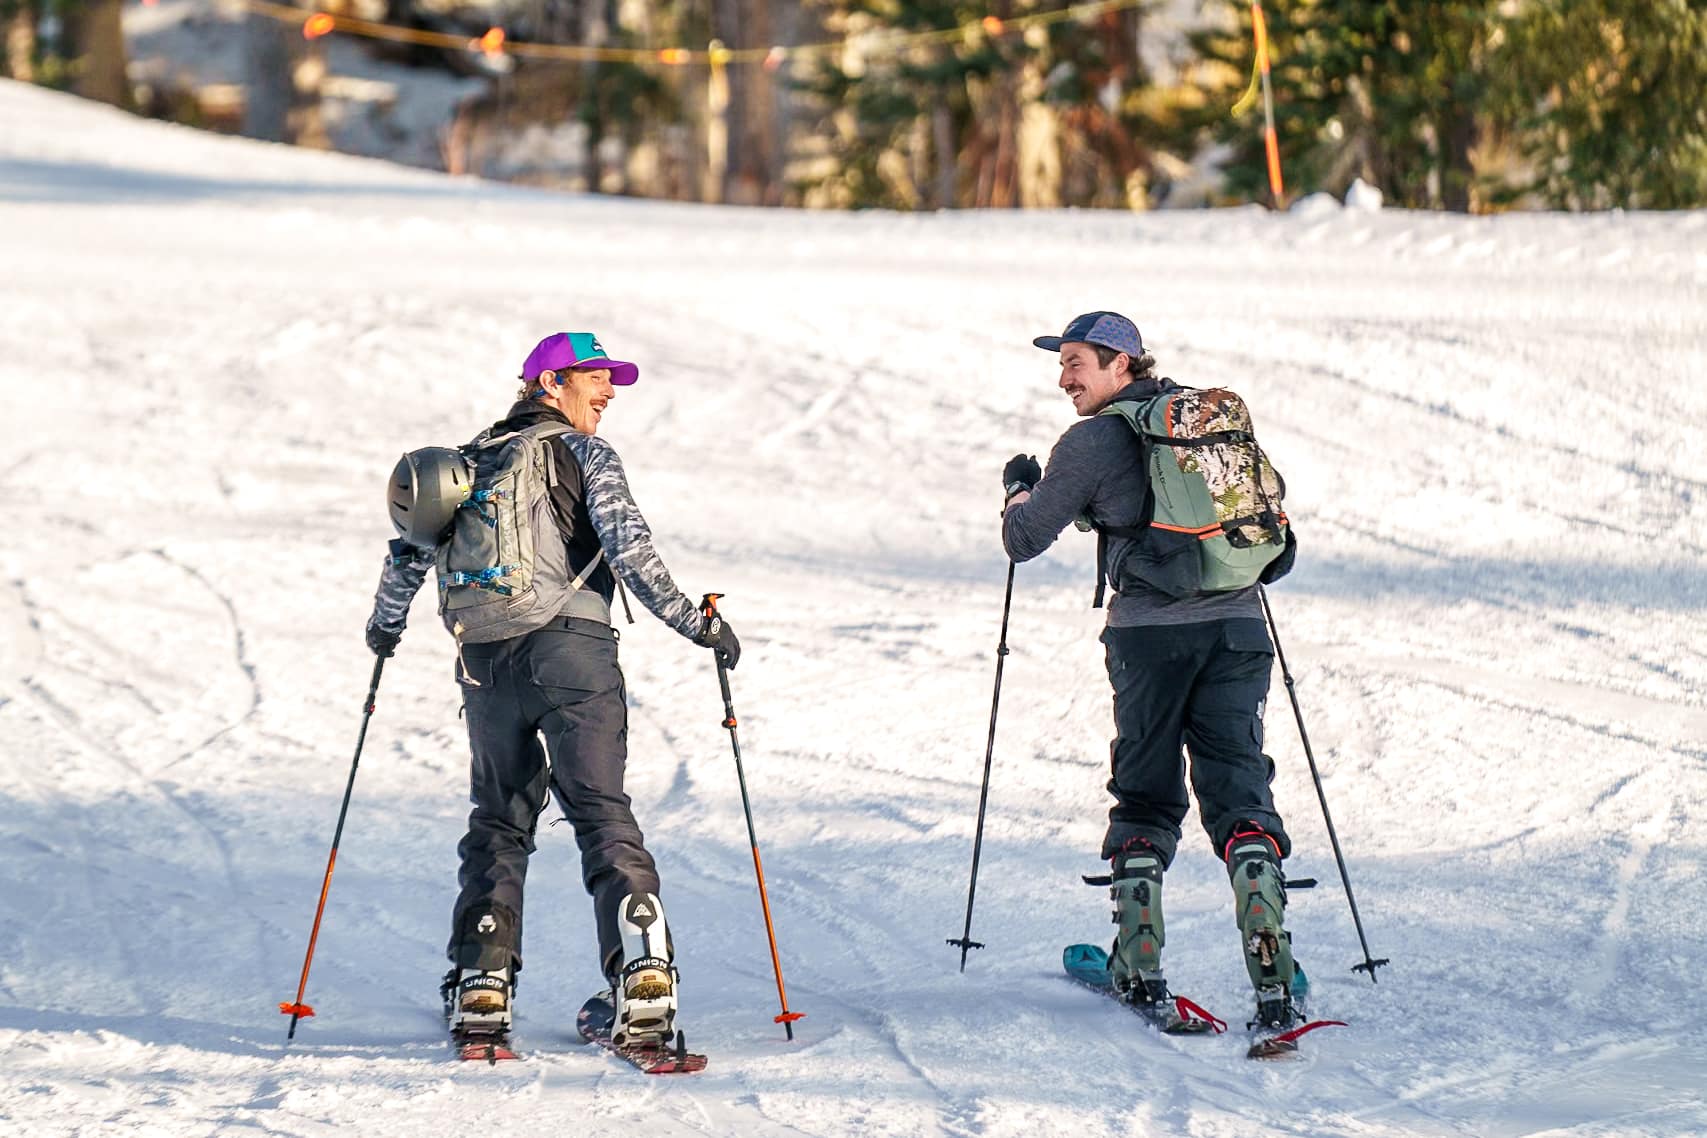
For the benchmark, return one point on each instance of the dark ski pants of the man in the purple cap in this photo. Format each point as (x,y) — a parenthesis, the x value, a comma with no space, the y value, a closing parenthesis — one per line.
(562,685)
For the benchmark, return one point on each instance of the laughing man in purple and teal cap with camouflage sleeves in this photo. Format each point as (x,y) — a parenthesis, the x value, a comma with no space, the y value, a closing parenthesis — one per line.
(556,680)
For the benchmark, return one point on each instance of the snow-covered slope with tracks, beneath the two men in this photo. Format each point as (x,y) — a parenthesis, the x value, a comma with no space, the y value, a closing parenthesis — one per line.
(211,354)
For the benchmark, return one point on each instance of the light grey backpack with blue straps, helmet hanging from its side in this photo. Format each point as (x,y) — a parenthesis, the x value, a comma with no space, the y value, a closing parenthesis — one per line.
(504,566)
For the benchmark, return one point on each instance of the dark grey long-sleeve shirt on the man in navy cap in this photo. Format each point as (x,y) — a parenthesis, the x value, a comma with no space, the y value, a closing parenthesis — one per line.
(1097,470)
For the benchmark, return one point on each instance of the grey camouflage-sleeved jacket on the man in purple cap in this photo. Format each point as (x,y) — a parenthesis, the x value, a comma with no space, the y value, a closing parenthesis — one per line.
(603,504)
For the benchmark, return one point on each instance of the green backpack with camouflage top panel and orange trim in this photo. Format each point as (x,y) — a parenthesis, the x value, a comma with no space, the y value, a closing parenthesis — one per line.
(1216,520)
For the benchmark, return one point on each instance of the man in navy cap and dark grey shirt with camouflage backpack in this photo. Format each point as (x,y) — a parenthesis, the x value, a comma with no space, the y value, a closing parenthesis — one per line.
(1191,673)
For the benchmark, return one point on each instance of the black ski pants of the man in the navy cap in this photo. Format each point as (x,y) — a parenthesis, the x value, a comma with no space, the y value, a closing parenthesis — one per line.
(1201,690)
